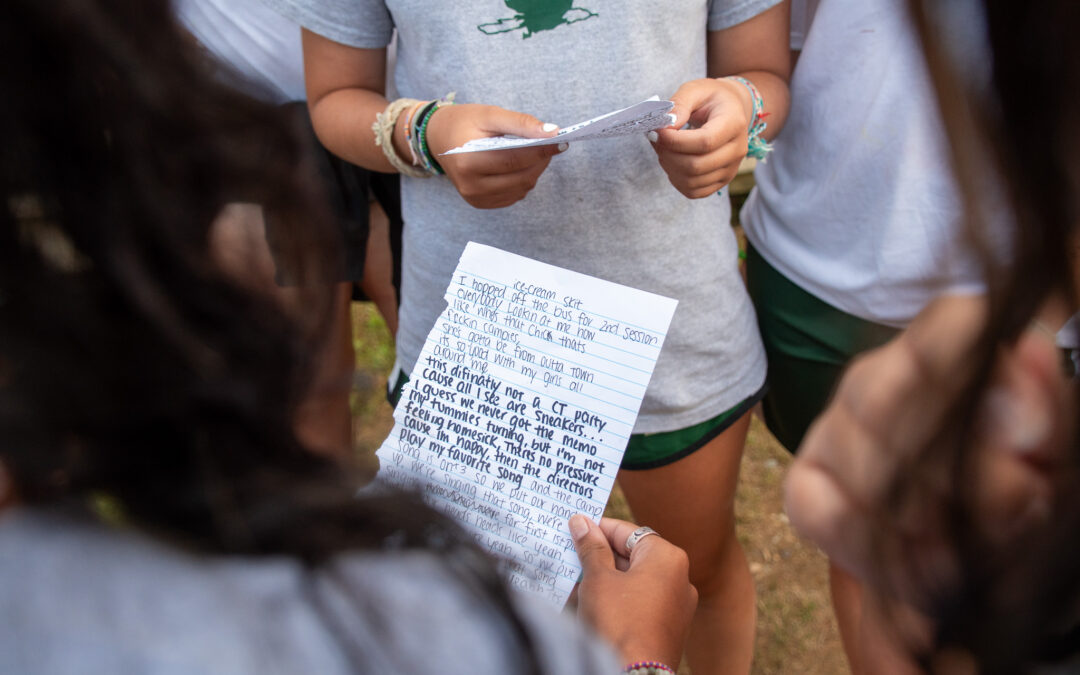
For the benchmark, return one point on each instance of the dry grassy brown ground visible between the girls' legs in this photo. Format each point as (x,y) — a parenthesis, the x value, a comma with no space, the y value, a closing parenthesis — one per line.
(796,633)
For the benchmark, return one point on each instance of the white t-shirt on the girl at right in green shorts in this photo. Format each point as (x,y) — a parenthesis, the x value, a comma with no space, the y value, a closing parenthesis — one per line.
(857,204)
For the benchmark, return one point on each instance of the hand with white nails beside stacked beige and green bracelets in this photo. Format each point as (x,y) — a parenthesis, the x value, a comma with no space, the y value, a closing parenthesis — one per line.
(496,179)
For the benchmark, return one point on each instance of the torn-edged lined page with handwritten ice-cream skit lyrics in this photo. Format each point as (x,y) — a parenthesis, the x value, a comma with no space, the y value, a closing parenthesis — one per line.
(521,407)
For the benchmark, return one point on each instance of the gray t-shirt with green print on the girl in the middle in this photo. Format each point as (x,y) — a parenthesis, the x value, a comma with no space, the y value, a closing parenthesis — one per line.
(603,208)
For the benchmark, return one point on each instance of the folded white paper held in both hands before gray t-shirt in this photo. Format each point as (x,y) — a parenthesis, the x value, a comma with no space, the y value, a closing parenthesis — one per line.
(638,119)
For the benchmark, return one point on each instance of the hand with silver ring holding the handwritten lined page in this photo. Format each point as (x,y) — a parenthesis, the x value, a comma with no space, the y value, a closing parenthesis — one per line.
(641,601)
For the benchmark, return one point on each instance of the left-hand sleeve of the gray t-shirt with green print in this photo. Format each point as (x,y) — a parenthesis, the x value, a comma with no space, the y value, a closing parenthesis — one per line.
(366,24)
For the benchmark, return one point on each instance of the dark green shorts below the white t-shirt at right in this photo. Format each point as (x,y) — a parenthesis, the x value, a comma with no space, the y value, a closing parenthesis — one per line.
(808,344)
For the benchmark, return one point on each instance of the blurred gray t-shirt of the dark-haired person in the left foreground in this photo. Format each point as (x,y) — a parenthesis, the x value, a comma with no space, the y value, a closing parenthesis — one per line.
(79,598)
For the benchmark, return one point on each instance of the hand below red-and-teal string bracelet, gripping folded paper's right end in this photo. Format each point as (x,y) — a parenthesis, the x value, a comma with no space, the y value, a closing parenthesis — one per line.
(705,158)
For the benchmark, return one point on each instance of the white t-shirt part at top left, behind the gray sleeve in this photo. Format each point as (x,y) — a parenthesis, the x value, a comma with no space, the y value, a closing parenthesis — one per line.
(258,43)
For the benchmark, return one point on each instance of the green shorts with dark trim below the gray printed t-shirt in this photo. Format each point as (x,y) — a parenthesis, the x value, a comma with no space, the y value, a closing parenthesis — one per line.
(652,451)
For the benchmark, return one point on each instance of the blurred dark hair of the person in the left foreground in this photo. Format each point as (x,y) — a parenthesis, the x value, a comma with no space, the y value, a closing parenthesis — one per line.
(131,366)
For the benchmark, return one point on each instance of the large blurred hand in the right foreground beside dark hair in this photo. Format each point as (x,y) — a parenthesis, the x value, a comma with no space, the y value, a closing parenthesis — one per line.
(886,409)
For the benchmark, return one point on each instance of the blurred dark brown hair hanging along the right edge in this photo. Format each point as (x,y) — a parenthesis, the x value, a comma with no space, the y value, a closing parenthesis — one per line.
(1012,114)
